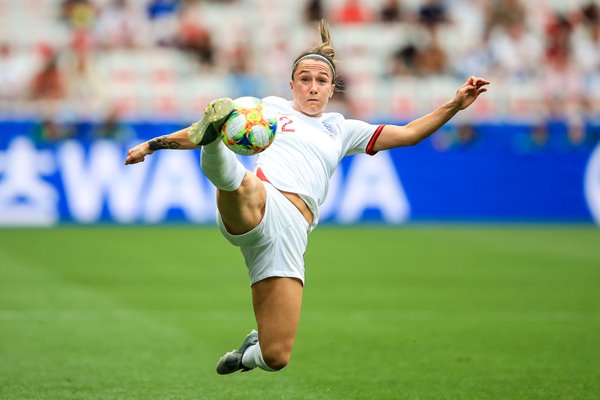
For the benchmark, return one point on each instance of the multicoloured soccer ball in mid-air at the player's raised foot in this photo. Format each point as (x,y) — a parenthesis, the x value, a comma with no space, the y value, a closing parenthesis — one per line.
(250,128)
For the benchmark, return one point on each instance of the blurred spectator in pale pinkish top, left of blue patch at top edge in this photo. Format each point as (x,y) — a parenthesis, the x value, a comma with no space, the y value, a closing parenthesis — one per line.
(121,25)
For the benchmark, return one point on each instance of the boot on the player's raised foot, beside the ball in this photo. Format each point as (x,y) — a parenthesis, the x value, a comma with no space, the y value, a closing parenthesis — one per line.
(207,129)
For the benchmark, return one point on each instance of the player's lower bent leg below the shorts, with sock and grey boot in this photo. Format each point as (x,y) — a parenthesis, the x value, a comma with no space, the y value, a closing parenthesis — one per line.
(277,303)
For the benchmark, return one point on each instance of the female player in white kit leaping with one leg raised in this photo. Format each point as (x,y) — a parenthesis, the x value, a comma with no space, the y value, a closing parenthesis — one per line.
(269,213)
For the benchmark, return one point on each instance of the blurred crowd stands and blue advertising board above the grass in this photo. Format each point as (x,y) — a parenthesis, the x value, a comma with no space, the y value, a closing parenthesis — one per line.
(82,80)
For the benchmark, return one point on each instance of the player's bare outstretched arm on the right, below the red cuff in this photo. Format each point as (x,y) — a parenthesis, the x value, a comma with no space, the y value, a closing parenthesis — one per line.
(393,136)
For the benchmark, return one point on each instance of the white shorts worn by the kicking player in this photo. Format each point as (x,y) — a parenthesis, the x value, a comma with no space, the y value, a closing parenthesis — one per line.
(276,246)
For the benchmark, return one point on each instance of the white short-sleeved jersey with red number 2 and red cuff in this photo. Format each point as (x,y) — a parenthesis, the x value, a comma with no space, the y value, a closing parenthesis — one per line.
(307,150)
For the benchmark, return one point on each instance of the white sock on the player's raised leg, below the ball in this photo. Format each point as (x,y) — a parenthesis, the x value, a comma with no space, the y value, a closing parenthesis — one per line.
(221,166)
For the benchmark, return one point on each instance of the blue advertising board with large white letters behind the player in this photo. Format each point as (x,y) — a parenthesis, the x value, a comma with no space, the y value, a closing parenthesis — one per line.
(494,173)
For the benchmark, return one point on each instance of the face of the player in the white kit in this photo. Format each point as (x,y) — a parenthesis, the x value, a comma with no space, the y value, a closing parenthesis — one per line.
(312,87)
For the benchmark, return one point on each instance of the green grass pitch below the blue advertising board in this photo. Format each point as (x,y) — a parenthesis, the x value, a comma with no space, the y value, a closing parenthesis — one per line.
(419,312)
